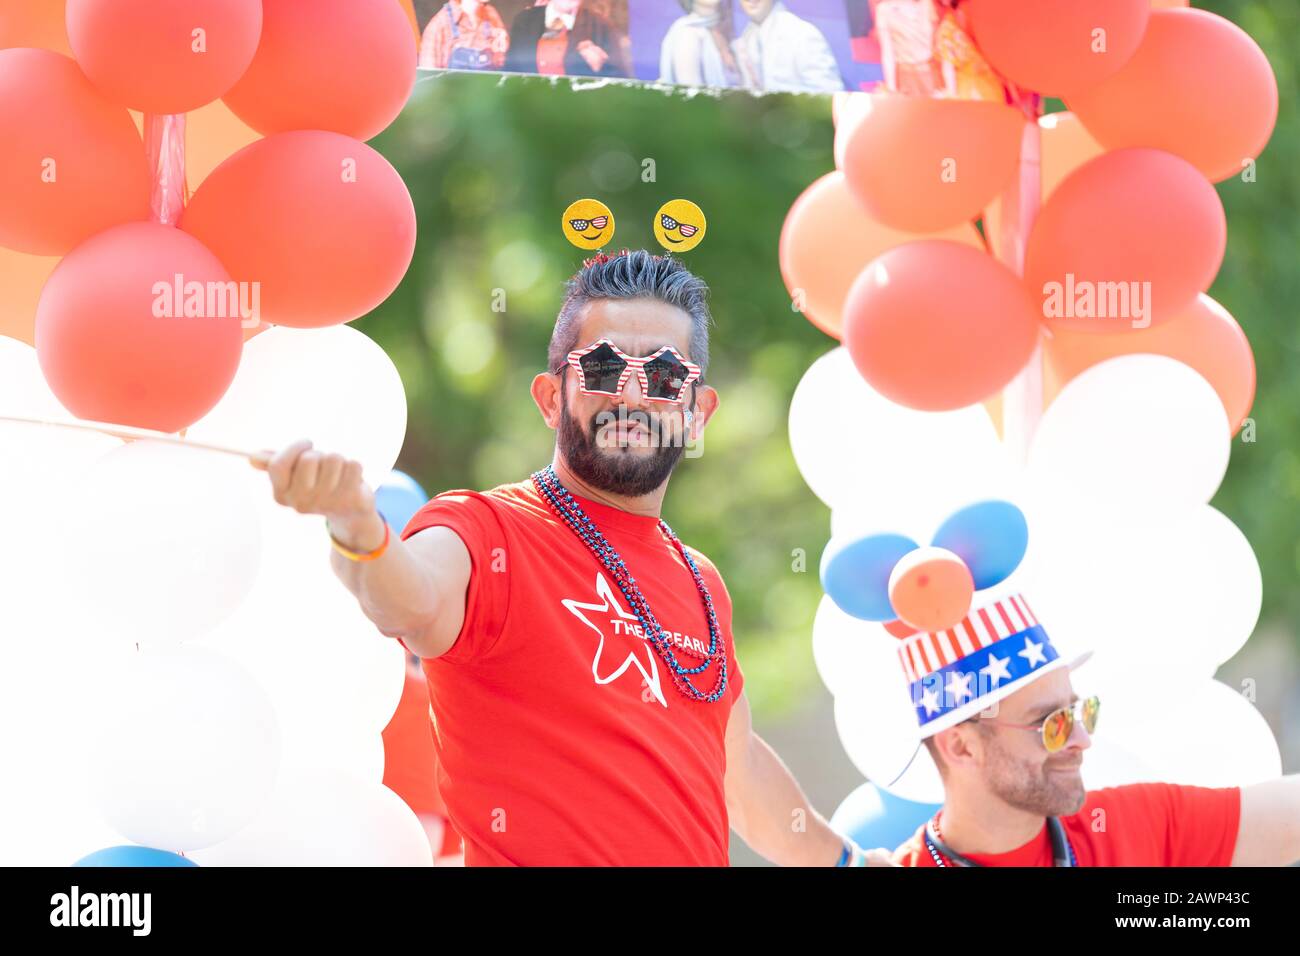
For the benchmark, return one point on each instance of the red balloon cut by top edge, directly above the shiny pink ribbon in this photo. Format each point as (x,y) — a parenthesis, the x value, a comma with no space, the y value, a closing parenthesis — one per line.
(164,57)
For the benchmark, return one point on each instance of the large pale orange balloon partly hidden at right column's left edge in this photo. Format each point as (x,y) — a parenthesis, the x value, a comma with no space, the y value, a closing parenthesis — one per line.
(829,240)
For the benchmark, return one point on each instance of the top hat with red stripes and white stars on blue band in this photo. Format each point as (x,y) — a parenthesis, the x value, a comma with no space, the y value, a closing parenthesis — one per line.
(960,672)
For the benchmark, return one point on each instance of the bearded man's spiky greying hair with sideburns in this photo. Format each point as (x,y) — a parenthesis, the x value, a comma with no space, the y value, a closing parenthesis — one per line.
(631,275)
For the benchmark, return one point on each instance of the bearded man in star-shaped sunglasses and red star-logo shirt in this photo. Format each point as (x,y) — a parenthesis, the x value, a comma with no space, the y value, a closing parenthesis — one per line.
(587,699)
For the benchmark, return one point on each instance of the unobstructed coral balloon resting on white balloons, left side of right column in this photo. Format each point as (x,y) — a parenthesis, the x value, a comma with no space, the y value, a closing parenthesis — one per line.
(938,326)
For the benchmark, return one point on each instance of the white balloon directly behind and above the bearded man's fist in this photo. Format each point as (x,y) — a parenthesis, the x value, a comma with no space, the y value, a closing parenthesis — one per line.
(335,387)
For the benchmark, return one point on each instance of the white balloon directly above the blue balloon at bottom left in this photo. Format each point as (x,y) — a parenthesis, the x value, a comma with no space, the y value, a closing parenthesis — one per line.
(183,747)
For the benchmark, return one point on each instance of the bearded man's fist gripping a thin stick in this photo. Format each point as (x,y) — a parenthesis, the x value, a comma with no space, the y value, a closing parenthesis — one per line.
(320,483)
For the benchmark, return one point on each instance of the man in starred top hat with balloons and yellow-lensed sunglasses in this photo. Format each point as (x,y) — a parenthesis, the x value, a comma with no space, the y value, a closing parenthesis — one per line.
(1008,733)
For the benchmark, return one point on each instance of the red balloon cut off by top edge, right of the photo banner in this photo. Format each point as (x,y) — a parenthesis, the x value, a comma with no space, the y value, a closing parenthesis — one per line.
(1058,46)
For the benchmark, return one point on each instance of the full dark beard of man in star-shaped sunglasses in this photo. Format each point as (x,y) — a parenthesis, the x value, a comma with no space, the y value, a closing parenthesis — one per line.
(618,470)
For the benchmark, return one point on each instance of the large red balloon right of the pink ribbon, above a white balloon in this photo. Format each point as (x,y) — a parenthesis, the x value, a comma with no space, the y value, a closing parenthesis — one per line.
(322,222)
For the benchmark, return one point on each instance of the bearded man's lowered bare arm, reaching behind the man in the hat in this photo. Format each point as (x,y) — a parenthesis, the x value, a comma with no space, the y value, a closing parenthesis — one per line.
(769,810)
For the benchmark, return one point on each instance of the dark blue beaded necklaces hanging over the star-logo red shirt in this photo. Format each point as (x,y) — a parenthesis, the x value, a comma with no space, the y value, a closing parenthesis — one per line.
(573,514)
